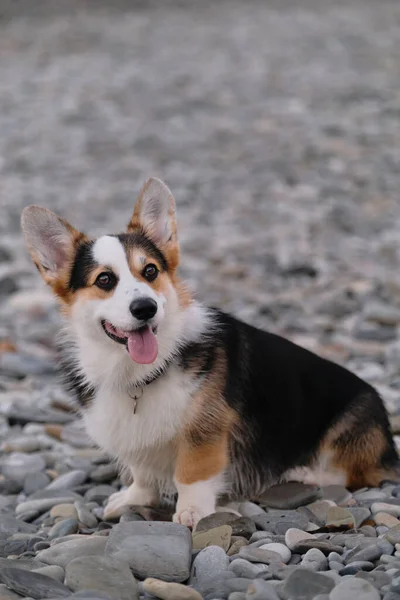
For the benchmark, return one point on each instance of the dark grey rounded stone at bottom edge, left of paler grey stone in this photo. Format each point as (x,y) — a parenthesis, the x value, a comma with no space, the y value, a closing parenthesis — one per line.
(305,585)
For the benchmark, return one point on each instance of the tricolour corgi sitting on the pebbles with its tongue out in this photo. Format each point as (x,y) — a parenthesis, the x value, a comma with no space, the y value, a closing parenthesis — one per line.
(193,401)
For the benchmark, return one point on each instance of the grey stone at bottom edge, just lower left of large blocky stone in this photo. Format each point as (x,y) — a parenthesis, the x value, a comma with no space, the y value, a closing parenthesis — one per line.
(104,574)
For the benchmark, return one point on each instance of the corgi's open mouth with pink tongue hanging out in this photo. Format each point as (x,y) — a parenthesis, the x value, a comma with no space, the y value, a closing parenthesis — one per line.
(141,343)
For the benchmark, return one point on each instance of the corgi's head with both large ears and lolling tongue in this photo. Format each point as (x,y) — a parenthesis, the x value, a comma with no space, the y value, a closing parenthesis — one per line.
(118,290)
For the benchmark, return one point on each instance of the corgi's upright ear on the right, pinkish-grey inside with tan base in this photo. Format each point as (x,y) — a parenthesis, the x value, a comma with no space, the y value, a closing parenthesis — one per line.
(155,214)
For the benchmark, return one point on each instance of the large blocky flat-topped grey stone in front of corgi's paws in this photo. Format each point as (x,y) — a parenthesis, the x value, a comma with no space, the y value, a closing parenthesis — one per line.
(153,549)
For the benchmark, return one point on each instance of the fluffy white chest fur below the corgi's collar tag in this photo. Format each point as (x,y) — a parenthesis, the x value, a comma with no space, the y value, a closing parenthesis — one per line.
(142,437)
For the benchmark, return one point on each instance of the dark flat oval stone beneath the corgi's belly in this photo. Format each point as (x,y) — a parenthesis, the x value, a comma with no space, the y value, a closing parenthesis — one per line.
(290,495)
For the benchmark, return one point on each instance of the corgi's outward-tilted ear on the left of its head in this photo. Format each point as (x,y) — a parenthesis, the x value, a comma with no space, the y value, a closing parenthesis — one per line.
(51,242)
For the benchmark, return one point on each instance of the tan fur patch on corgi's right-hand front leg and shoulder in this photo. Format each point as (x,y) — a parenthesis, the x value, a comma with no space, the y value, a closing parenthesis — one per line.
(203,449)
